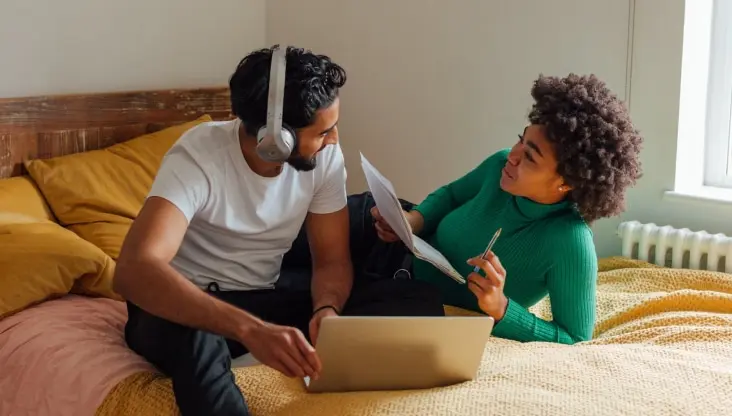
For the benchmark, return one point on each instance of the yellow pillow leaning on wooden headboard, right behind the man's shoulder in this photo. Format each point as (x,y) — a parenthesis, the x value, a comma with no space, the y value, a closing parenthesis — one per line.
(98,193)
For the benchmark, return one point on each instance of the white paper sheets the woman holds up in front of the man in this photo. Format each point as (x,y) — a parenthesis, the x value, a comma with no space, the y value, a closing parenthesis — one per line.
(386,200)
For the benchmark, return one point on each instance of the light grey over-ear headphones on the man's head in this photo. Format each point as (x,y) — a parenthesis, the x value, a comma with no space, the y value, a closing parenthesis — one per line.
(276,141)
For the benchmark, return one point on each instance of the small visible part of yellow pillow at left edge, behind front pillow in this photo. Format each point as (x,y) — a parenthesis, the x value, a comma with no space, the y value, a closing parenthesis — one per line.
(20,195)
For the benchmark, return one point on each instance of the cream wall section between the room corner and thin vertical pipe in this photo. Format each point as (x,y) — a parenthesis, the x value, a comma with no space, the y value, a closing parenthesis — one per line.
(436,86)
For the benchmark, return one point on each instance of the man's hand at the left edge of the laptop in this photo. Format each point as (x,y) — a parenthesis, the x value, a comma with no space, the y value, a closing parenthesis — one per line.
(283,348)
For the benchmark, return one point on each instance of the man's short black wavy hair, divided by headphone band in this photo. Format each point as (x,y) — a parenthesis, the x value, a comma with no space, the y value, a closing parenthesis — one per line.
(312,82)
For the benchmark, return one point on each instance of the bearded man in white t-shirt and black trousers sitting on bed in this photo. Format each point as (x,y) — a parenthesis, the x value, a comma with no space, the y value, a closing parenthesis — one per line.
(199,265)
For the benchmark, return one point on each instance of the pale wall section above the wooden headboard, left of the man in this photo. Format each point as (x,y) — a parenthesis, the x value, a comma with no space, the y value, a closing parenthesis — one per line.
(70,46)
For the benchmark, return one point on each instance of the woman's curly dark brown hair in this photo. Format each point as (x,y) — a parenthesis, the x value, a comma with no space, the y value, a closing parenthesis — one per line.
(594,140)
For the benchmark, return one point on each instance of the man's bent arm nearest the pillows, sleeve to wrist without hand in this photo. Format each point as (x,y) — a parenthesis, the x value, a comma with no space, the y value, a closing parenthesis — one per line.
(145,277)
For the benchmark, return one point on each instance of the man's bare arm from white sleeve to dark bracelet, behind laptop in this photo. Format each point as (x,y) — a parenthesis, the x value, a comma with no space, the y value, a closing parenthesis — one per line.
(332,268)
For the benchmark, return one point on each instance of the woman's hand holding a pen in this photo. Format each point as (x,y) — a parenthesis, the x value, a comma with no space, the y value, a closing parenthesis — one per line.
(489,289)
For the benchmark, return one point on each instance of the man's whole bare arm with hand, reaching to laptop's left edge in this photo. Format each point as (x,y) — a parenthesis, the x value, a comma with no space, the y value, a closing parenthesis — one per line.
(144,276)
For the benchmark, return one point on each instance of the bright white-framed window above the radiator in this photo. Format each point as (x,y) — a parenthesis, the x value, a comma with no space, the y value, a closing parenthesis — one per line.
(704,144)
